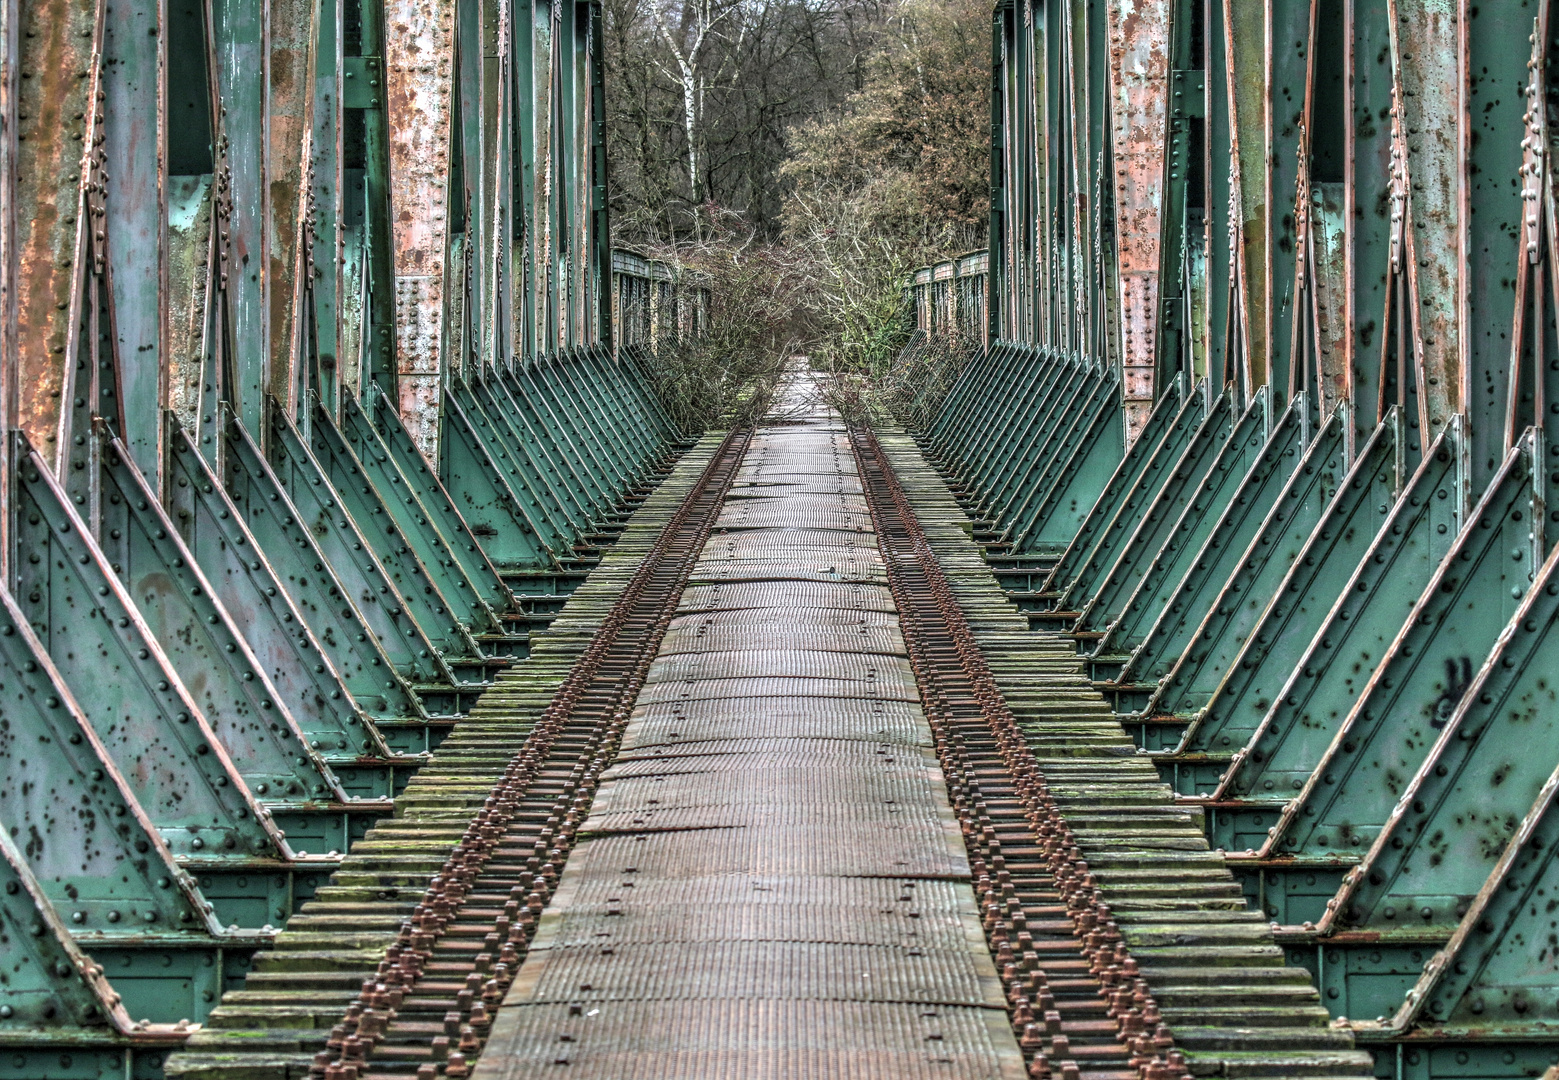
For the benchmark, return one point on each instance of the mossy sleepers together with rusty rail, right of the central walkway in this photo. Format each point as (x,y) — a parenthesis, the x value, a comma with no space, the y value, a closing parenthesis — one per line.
(1125,944)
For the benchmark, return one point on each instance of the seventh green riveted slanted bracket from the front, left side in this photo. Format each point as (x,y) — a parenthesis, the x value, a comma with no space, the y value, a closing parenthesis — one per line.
(397,591)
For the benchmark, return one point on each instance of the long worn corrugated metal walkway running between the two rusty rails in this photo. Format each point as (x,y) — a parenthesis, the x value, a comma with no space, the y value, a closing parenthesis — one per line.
(769,883)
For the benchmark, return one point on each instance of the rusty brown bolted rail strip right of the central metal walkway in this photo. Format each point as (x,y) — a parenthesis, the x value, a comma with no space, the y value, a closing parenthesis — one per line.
(1078,1000)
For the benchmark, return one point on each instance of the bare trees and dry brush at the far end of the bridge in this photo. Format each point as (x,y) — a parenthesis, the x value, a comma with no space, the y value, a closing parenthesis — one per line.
(805,157)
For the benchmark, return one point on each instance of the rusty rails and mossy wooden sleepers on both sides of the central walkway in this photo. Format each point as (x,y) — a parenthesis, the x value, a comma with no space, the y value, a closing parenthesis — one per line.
(1123,945)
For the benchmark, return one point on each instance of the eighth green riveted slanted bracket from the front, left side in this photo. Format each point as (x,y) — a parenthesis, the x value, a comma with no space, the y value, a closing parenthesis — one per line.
(417,562)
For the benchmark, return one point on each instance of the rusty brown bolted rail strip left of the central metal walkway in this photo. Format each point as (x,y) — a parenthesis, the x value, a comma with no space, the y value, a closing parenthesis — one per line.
(430,1009)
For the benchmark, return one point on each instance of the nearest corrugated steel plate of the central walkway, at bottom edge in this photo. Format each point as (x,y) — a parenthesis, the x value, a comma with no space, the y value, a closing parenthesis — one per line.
(752,1040)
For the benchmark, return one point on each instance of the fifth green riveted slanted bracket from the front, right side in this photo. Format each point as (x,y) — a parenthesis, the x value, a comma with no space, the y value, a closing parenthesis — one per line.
(1289,623)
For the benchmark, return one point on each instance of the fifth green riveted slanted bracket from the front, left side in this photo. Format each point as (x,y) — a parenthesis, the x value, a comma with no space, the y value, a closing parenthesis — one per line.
(300,668)
